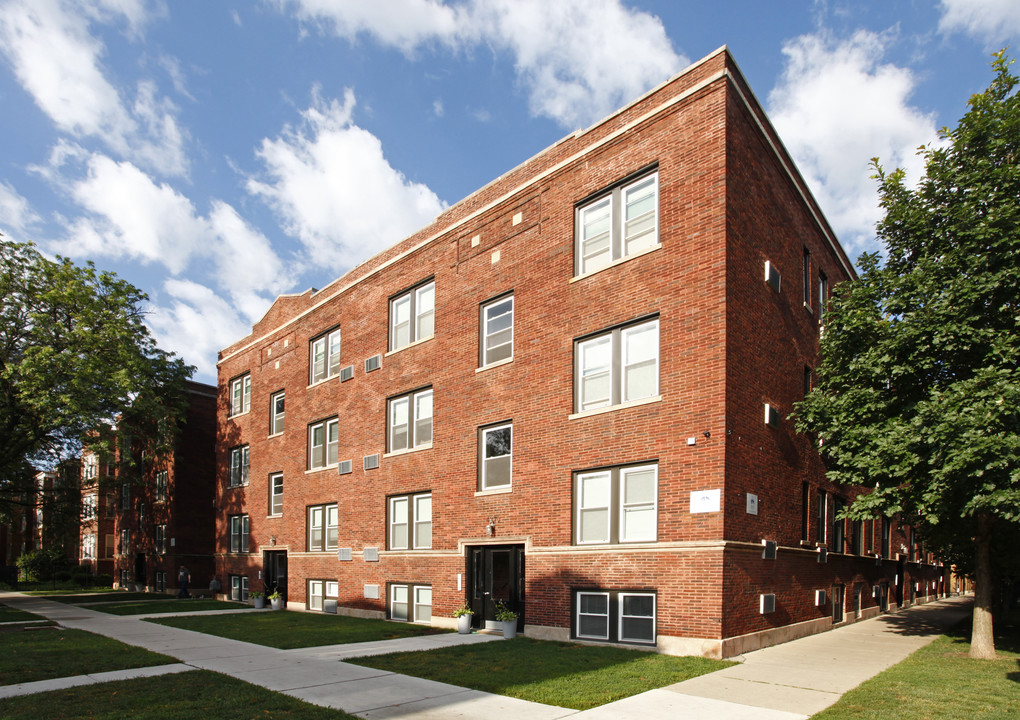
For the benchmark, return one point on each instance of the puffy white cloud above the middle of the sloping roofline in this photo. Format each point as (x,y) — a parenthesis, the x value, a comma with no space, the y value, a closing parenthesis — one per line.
(335,191)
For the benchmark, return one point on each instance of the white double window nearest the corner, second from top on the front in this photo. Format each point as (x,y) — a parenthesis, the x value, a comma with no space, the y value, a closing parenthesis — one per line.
(618,367)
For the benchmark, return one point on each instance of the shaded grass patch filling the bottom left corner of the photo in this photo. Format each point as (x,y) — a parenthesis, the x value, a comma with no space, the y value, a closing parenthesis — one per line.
(180,697)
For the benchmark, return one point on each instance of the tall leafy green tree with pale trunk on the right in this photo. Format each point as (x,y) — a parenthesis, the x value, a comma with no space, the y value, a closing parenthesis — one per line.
(919,392)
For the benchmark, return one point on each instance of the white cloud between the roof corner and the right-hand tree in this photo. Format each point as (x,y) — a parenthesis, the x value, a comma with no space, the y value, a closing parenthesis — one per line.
(836,108)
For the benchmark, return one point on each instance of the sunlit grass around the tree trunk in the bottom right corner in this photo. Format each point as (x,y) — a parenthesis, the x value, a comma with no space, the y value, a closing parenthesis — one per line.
(941,683)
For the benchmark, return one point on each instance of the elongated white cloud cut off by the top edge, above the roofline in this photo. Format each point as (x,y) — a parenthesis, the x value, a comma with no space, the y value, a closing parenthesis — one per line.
(578,60)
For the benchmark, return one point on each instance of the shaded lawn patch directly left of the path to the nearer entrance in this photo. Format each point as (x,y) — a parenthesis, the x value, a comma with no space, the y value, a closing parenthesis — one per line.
(287,631)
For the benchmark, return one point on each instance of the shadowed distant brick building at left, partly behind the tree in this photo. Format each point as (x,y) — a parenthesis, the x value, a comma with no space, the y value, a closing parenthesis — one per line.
(142,518)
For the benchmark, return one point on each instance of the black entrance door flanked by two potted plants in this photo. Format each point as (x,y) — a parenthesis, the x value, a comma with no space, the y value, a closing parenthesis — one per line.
(497,577)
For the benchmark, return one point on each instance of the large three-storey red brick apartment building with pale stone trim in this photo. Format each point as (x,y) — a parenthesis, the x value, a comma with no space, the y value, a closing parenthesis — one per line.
(570,395)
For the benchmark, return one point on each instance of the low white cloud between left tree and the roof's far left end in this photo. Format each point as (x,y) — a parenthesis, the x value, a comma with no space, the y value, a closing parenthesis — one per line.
(195,323)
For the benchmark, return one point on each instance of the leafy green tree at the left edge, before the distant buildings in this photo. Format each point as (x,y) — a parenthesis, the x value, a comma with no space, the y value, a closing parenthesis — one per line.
(75,358)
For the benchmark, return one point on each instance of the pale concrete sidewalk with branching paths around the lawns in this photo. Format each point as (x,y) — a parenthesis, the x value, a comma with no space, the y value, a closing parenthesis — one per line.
(790,682)
